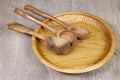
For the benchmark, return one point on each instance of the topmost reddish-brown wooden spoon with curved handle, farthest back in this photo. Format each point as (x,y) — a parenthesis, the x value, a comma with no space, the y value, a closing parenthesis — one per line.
(80,32)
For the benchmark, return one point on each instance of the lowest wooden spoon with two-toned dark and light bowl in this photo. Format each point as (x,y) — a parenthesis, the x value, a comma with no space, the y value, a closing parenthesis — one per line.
(56,44)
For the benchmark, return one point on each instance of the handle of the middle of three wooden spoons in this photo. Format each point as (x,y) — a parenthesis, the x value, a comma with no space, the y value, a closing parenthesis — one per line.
(26,15)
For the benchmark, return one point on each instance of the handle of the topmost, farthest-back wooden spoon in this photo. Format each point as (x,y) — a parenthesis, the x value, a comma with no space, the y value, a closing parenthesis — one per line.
(38,12)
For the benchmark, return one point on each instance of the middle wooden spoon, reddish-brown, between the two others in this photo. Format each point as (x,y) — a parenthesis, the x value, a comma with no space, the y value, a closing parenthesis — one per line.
(65,34)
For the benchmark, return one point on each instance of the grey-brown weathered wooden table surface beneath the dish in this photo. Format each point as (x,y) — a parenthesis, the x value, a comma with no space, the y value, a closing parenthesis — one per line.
(17,59)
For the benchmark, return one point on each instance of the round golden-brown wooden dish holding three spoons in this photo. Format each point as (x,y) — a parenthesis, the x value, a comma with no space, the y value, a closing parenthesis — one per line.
(84,55)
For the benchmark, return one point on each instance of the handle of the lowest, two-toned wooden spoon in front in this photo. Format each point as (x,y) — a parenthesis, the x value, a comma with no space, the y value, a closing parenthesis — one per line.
(21,28)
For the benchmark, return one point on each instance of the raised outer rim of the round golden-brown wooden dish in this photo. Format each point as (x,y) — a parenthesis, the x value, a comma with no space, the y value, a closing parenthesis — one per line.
(93,67)
